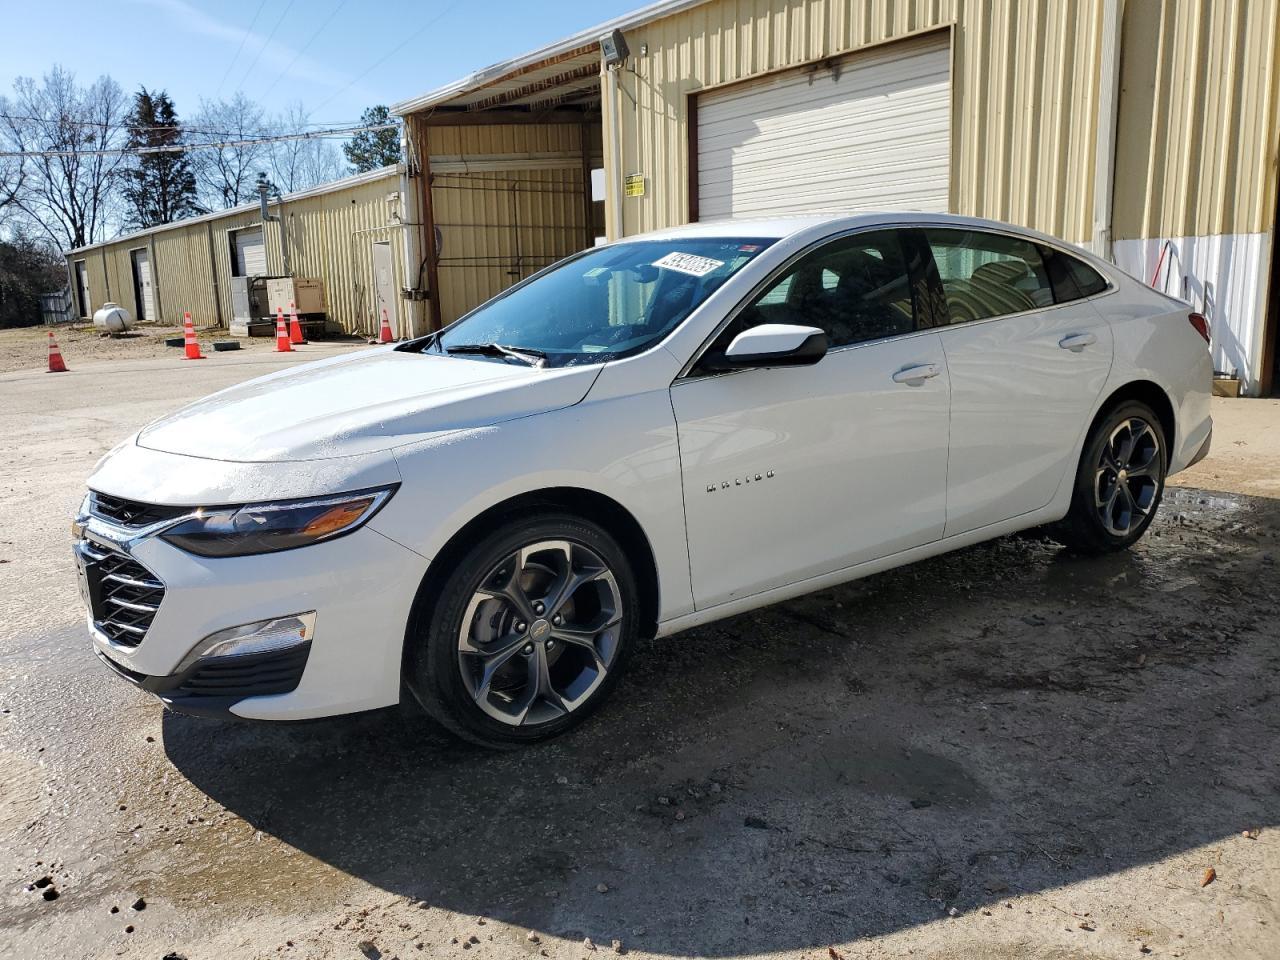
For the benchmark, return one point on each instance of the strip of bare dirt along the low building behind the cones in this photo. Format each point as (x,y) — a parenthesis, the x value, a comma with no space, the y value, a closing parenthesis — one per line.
(28,349)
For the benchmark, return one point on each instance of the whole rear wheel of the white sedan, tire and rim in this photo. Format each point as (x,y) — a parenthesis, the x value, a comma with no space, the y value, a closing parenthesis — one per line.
(1119,483)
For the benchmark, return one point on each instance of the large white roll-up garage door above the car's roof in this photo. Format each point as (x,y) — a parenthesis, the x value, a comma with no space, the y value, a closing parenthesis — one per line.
(874,132)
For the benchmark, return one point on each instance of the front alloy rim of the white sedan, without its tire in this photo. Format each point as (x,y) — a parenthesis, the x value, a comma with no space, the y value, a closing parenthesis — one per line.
(541,633)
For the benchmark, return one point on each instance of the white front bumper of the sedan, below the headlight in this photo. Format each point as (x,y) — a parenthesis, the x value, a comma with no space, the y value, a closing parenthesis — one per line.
(362,588)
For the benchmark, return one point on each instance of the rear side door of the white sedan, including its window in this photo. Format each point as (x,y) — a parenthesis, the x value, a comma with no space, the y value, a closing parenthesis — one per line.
(1027,364)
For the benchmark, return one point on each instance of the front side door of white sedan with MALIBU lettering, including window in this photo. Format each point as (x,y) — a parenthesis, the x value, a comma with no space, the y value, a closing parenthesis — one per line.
(792,473)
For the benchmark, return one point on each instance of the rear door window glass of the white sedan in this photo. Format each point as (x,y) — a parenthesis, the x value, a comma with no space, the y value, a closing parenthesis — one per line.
(989,275)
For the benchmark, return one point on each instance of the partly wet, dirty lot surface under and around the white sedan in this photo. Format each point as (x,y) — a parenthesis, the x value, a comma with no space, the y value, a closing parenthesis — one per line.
(1004,753)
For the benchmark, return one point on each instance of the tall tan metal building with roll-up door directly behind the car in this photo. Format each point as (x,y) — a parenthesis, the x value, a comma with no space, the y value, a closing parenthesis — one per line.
(1145,130)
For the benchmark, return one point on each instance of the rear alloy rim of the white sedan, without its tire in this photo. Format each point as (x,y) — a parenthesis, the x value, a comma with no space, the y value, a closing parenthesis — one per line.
(1127,479)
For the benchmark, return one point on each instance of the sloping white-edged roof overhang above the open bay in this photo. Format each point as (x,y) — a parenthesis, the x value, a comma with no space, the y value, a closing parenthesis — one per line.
(580,48)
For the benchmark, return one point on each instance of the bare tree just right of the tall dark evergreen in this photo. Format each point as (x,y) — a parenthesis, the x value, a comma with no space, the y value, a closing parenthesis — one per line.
(227,176)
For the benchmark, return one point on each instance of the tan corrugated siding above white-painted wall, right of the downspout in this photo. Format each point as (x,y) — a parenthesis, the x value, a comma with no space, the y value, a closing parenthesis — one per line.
(1200,113)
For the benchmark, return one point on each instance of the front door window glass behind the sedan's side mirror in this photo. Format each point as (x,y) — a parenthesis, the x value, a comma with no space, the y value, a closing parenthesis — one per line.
(854,289)
